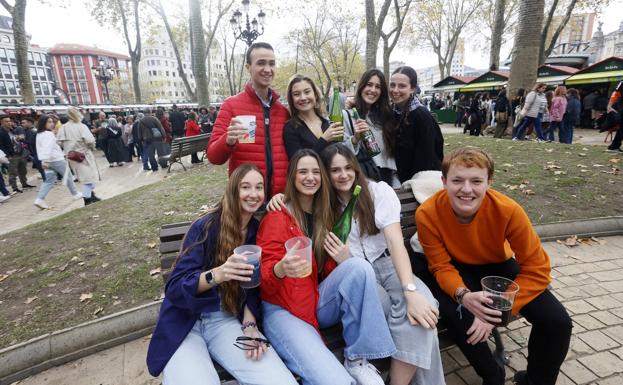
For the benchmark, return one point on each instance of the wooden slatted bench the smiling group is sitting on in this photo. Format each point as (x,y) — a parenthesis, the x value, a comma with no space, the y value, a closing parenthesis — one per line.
(171,236)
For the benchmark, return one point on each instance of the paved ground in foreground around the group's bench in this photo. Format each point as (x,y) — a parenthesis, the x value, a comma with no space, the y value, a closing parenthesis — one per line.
(588,279)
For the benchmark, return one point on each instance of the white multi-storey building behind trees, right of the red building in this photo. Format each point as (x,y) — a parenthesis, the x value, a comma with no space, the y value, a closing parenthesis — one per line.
(160,78)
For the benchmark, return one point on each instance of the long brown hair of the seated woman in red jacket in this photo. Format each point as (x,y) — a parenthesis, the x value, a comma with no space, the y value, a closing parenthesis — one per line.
(321,206)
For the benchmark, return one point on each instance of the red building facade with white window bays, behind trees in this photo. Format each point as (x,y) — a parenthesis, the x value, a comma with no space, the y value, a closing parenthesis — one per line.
(74,68)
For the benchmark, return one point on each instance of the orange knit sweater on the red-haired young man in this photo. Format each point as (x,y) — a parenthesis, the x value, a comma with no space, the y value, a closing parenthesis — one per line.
(500,229)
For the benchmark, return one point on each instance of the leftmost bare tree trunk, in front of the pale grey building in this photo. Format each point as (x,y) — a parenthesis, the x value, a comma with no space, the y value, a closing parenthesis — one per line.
(18,13)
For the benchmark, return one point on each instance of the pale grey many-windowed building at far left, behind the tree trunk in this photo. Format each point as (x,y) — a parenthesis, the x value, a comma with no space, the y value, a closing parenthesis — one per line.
(40,69)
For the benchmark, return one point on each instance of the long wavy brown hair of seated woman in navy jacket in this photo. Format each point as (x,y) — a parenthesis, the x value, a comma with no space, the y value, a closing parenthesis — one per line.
(228,216)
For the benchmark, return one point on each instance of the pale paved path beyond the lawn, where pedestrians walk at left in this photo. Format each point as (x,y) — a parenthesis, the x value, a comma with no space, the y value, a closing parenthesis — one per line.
(116,180)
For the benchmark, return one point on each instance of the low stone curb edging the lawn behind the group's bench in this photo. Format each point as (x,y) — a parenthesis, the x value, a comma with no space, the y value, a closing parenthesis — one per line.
(53,349)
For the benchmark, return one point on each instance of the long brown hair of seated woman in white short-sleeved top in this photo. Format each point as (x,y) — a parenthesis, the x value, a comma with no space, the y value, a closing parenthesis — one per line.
(364,209)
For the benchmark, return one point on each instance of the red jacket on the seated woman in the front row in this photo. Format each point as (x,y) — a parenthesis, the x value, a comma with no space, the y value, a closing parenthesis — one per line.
(299,296)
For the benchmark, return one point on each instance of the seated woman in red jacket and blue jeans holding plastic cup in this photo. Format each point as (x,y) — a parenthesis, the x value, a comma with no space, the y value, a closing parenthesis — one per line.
(339,288)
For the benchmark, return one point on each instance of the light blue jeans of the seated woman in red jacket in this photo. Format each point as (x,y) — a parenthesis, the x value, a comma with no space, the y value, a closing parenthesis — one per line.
(349,294)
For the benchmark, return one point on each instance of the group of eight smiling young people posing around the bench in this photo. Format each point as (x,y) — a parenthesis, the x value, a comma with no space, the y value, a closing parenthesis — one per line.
(306,168)
